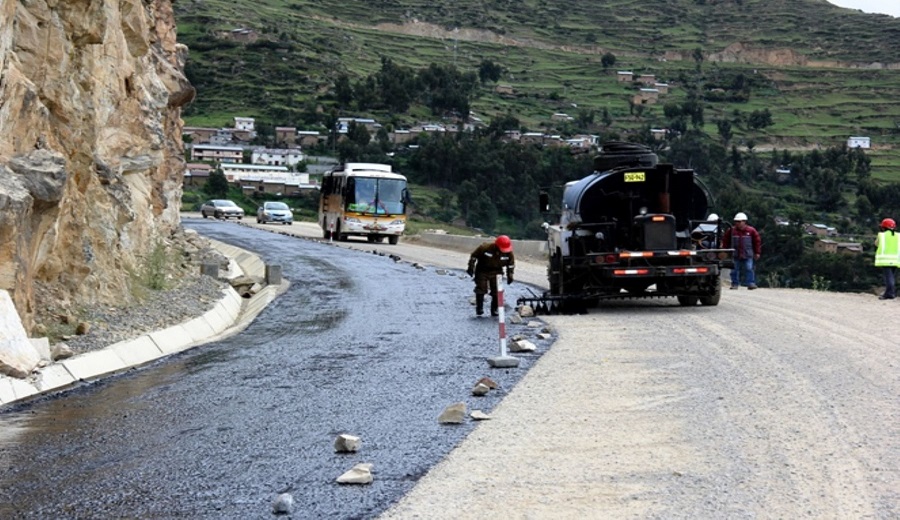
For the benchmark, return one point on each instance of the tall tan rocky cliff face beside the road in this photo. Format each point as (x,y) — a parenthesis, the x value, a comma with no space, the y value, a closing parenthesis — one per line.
(91,157)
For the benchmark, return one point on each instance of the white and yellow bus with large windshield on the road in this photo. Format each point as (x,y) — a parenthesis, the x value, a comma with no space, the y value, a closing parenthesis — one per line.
(363,199)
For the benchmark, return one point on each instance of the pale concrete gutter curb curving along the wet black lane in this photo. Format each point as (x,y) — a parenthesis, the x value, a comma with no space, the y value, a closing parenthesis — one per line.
(229,316)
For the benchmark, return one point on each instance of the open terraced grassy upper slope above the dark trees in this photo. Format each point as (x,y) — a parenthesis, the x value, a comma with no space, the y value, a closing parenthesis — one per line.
(555,62)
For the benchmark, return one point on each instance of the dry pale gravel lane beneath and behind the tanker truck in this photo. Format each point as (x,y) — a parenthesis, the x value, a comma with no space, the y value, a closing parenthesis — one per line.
(774,404)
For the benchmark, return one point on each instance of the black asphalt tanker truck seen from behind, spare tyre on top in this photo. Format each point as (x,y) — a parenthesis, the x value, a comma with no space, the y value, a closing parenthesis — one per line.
(633,228)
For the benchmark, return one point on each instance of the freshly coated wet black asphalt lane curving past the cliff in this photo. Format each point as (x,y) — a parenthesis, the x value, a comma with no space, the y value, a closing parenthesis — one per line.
(359,344)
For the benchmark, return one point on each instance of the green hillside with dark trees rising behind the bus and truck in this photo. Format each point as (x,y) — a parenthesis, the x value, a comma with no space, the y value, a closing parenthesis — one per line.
(748,79)
